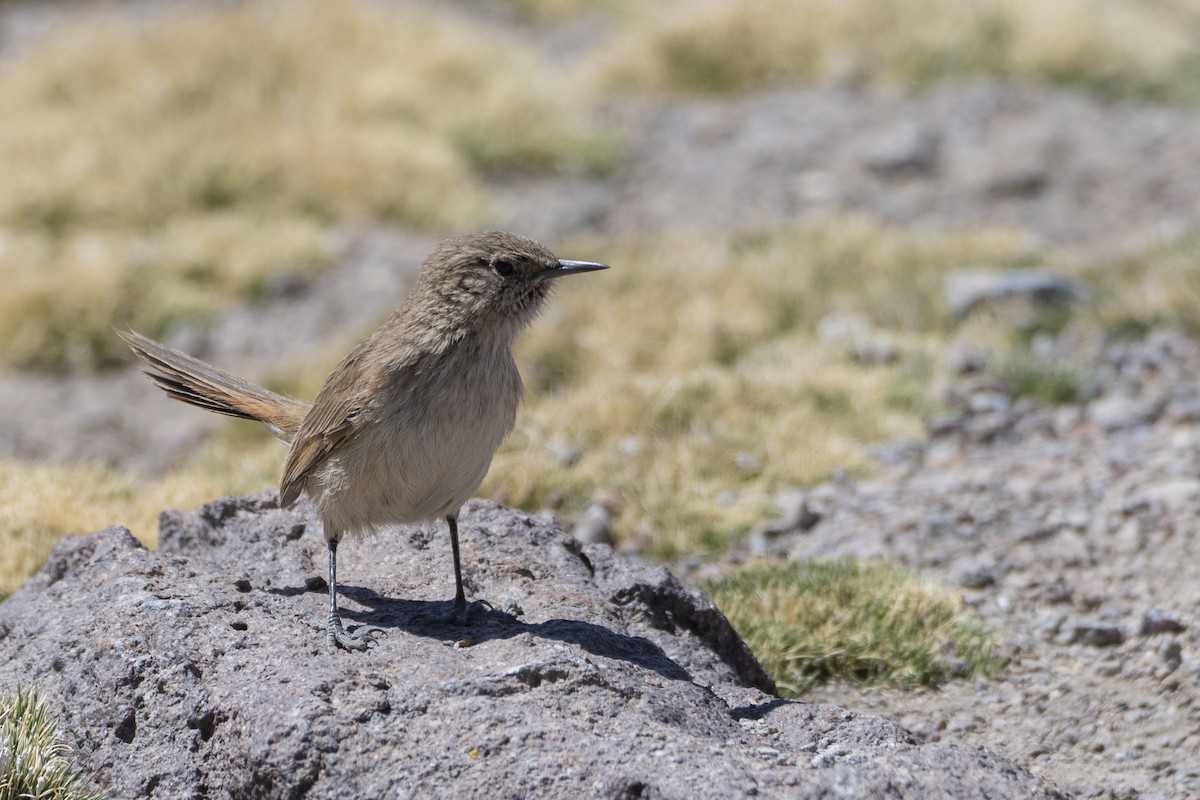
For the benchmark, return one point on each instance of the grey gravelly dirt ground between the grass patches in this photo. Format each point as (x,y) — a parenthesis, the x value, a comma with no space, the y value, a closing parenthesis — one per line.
(1073,531)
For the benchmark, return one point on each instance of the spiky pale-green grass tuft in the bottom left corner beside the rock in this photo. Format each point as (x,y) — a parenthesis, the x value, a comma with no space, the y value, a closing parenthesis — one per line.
(35,763)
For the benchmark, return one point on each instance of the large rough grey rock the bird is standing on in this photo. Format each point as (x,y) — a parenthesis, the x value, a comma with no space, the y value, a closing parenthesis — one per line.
(193,672)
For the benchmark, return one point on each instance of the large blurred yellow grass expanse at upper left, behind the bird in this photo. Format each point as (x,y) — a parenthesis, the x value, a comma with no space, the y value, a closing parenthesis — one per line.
(155,173)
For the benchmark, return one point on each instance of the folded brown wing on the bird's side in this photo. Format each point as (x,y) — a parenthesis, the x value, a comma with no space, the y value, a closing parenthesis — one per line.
(347,393)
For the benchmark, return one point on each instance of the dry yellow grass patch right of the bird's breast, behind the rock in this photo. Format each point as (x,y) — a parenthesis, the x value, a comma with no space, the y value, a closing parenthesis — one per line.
(691,384)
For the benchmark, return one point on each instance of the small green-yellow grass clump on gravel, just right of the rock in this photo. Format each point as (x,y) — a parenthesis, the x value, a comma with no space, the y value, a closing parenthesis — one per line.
(860,622)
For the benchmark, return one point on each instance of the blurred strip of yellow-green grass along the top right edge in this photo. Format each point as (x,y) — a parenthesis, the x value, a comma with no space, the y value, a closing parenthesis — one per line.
(1120,49)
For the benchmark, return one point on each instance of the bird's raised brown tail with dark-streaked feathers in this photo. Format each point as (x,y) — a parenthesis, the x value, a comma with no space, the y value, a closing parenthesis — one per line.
(206,387)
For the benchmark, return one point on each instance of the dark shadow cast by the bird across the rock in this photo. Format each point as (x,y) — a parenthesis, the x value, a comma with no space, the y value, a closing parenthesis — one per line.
(422,618)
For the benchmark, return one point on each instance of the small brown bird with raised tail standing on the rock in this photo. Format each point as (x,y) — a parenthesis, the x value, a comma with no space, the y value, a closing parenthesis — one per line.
(406,426)
